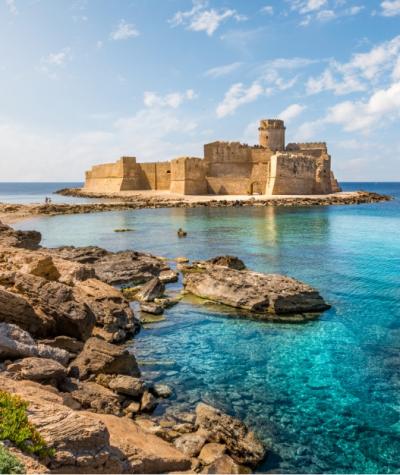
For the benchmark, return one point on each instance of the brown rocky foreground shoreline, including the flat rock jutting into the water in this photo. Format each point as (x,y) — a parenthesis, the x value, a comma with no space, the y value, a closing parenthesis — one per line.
(64,333)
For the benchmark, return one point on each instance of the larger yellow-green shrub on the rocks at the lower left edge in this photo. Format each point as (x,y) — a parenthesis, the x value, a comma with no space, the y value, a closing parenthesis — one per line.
(15,426)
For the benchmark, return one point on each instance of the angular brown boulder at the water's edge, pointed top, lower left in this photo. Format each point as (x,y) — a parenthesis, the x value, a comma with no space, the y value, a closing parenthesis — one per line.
(99,356)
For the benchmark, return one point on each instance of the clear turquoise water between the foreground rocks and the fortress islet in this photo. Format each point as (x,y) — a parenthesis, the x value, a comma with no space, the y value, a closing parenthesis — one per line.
(327,393)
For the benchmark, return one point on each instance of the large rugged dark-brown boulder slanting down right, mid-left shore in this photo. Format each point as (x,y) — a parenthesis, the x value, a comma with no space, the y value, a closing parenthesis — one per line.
(57,303)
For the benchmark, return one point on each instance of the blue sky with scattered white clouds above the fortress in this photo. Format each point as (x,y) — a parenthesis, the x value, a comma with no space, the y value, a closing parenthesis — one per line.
(84,82)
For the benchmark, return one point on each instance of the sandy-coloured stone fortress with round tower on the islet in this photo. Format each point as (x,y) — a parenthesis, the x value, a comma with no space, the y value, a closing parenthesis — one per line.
(228,168)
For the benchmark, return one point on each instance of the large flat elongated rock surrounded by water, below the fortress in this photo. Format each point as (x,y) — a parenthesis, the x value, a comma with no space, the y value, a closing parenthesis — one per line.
(264,294)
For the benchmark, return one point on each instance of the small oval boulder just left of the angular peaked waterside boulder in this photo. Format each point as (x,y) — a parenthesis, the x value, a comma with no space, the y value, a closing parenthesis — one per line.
(42,370)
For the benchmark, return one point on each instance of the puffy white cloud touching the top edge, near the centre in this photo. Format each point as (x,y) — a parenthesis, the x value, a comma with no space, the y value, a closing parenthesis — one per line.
(199,18)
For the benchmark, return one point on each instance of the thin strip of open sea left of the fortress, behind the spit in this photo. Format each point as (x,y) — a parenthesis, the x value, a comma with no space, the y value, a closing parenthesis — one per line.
(36,192)
